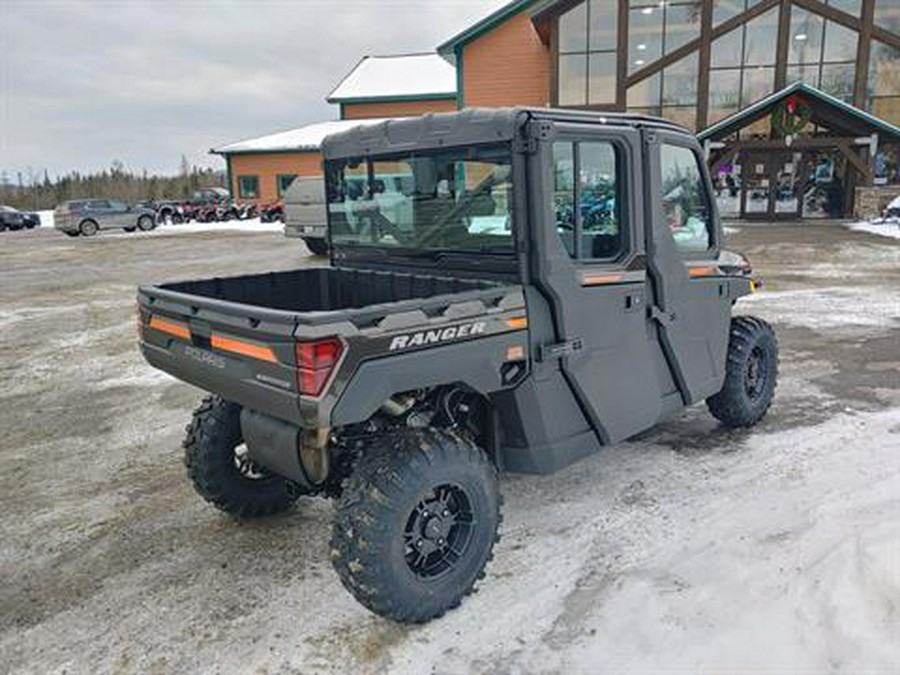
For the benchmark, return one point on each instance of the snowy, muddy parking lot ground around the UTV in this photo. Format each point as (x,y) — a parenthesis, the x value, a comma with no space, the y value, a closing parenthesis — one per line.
(690,547)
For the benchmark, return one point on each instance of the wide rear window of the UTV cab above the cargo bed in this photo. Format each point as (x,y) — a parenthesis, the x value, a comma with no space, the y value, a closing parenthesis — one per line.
(458,199)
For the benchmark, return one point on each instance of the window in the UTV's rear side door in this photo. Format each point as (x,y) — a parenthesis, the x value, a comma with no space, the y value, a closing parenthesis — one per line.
(586,201)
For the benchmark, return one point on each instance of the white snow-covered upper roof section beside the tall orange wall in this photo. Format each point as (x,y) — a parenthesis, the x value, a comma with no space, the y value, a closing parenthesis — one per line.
(404,76)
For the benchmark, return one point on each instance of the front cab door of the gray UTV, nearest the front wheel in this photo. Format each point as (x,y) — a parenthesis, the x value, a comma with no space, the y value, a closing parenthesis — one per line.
(690,302)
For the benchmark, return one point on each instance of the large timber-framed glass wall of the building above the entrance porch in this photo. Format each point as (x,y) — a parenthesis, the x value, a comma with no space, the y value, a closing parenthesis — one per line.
(698,61)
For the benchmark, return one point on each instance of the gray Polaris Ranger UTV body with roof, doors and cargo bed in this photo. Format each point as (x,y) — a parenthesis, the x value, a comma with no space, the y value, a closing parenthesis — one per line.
(570,354)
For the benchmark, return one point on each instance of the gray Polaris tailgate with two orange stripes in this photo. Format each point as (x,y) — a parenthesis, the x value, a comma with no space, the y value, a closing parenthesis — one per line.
(243,353)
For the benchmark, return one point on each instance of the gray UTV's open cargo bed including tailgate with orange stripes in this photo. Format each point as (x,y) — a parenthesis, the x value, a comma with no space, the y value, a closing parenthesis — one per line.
(237,336)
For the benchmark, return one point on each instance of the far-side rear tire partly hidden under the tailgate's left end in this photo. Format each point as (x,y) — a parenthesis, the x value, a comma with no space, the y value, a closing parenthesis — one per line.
(217,464)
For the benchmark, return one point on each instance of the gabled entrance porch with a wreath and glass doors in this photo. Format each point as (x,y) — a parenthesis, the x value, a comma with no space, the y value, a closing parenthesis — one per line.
(799,153)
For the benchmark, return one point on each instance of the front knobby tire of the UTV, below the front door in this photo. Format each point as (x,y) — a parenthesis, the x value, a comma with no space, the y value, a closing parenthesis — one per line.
(751,374)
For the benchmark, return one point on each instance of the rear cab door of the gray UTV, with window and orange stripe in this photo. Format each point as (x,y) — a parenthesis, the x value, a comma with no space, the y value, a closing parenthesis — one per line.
(589,260)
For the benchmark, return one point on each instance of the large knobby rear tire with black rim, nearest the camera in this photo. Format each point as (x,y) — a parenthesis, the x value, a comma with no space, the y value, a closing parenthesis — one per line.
(416,524)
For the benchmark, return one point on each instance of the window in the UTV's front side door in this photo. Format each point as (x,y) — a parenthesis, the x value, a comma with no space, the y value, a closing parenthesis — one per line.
(685,199)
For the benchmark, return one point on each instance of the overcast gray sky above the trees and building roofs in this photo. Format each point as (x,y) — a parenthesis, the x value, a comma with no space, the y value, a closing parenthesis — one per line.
(85,83)
